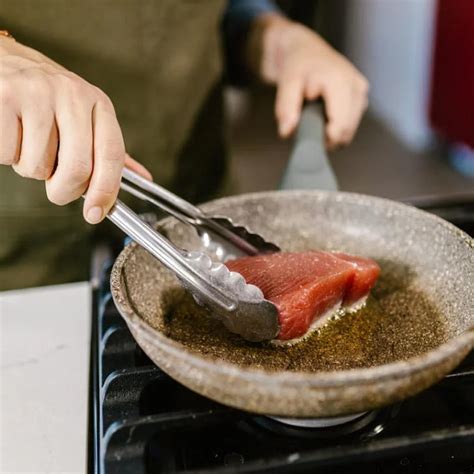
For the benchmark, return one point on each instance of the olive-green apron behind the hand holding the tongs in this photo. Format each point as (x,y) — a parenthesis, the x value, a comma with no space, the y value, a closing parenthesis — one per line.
(159,61)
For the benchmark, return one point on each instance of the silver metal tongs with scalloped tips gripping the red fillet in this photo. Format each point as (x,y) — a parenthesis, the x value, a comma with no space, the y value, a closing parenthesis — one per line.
(240,306)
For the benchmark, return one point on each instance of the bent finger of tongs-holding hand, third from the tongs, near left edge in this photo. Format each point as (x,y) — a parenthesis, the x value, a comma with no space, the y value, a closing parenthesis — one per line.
(38,146)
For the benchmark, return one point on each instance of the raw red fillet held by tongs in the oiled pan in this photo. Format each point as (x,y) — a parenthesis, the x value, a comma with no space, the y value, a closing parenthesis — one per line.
(306,285)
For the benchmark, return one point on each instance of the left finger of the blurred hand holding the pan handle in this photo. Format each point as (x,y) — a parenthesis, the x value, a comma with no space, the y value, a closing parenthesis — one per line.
(289,100)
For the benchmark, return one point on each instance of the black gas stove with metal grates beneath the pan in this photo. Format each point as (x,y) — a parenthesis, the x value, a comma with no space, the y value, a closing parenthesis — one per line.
(142,421)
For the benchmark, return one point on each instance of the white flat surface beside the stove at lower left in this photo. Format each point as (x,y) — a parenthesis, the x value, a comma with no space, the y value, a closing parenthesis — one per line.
(44,378)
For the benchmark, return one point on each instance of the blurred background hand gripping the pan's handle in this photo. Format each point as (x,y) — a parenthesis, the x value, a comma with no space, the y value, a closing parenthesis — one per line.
(303,66)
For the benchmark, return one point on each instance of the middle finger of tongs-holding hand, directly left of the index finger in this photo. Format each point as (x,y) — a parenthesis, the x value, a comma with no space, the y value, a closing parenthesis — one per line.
(74,157)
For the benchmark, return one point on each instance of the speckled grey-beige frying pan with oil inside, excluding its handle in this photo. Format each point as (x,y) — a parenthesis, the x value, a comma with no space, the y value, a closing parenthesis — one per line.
(418,324)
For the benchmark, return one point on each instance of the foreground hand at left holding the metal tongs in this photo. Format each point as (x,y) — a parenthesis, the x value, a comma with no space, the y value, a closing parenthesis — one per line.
(56,127)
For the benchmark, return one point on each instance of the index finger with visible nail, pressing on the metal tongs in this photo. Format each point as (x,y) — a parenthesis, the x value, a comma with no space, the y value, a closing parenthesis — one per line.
(109,157)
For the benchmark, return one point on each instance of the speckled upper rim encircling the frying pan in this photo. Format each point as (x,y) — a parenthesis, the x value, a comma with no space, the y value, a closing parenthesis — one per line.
(398,369)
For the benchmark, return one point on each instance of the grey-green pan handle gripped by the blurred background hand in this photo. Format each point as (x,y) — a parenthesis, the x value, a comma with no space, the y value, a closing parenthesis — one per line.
(309,166)
